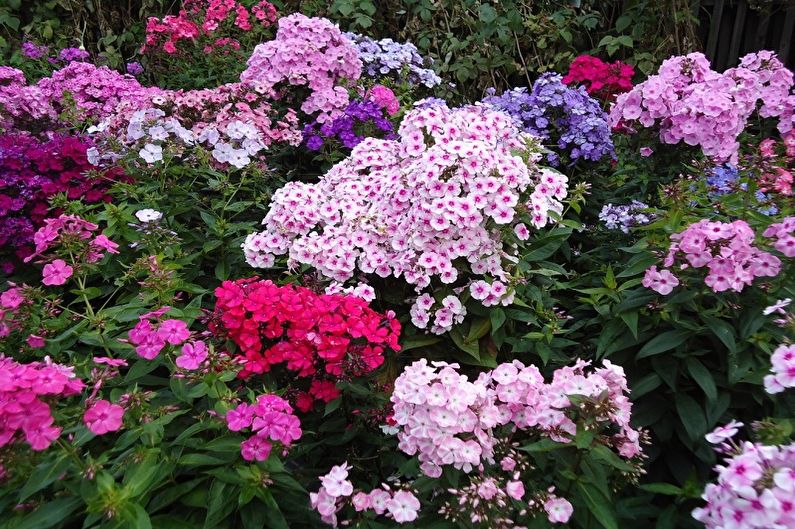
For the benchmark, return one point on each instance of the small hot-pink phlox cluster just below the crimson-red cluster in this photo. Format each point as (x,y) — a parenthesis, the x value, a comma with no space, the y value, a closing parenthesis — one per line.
(270,419)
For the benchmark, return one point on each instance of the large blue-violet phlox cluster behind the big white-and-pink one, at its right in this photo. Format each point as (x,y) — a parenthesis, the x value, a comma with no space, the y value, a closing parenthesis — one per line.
(566,117)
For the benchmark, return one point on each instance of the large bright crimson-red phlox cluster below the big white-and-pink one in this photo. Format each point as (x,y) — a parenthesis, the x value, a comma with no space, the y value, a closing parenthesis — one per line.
(322,337)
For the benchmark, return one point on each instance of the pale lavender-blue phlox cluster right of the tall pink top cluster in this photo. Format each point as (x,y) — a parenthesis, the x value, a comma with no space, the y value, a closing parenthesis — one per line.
(386,58)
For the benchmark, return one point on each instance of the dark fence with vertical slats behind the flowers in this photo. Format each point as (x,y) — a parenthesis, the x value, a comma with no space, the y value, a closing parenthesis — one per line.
(730,29)
